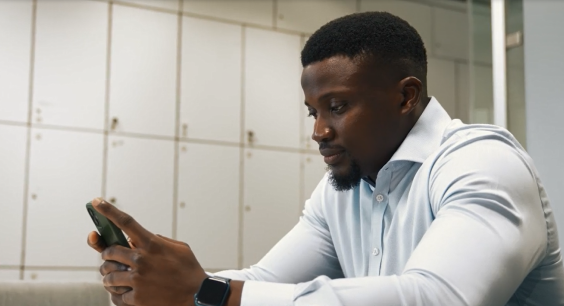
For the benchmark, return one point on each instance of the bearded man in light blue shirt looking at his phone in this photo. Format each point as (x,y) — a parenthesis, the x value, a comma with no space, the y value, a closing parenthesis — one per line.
(417,209)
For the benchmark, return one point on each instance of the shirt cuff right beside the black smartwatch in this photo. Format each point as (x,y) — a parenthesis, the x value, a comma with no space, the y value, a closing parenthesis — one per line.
(257,293)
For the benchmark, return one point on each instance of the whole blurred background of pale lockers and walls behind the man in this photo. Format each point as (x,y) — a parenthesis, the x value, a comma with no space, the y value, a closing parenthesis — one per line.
(188,115)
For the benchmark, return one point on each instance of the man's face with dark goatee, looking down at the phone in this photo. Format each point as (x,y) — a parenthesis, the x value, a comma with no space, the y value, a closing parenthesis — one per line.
(357,110)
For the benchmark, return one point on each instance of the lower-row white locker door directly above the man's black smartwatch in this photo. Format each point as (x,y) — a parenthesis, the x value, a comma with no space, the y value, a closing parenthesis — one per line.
(208,198)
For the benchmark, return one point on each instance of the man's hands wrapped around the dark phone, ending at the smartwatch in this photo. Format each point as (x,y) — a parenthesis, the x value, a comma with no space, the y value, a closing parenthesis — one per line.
(162,271)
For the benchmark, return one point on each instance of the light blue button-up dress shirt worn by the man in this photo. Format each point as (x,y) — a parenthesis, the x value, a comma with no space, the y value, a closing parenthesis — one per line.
(458,216)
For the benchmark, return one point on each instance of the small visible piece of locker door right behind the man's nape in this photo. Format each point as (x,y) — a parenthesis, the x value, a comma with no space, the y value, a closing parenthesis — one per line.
(441,83)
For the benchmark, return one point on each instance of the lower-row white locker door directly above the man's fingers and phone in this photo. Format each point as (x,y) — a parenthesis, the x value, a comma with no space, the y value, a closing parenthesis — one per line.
(140,177)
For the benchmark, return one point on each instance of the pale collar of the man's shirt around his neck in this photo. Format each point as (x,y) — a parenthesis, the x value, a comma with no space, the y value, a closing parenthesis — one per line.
(425,136)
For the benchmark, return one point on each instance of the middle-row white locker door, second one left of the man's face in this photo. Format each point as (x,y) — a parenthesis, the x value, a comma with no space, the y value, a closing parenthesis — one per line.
(211,80)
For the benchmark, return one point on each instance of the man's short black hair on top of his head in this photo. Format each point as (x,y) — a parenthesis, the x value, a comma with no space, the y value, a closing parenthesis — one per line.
(379,35)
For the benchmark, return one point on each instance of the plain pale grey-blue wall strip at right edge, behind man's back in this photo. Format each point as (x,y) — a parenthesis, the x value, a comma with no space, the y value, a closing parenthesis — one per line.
(544,46)
